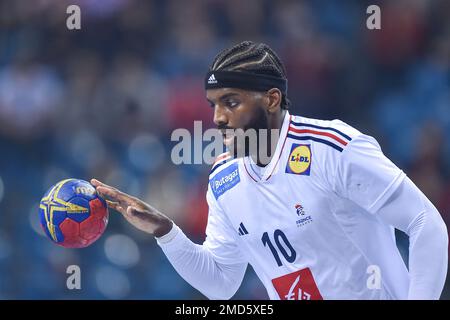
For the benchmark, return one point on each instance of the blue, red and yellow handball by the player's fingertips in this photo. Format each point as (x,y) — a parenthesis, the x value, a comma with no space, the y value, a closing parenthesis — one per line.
(72,214)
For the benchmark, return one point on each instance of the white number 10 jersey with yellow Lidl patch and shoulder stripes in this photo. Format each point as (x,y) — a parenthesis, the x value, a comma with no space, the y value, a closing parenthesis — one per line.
(307,222)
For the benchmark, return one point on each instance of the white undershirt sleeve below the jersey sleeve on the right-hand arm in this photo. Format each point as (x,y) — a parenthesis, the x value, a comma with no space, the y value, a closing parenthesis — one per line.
(409,210)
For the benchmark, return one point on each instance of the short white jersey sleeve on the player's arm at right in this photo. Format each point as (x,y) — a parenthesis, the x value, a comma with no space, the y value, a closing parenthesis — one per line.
(364,175)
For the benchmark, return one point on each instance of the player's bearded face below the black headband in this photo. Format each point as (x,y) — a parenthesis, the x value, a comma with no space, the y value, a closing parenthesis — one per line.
(238,109)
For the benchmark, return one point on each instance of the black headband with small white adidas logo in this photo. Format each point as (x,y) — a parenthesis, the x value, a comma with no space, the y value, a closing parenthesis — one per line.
(244,80)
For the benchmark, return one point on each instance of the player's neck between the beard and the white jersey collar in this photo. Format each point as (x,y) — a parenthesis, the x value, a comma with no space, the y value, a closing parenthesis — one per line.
(273,135)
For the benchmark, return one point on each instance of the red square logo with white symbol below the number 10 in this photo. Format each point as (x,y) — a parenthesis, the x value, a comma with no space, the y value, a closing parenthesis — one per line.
(299,285)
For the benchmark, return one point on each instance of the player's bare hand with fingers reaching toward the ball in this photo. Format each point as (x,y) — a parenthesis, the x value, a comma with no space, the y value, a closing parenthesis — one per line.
(137,212)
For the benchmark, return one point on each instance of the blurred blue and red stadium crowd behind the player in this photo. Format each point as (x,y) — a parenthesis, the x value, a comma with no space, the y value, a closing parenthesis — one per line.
(103,101)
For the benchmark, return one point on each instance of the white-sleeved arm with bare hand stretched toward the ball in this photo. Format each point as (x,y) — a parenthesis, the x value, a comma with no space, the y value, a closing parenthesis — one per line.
(214,268)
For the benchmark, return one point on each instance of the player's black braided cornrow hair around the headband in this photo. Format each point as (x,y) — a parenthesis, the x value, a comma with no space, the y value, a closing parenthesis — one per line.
(252,57)
